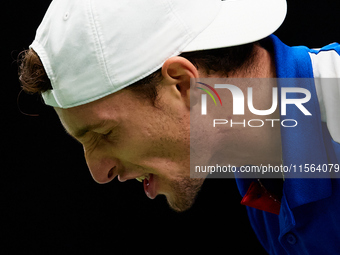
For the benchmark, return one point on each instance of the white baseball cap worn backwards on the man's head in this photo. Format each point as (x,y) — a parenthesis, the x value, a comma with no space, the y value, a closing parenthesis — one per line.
(93,48)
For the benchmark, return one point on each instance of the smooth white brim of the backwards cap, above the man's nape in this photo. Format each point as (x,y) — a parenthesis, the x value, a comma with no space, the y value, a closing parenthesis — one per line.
(240,22)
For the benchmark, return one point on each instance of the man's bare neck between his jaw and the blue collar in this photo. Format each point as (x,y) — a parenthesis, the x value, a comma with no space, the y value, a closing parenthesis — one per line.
(247,145)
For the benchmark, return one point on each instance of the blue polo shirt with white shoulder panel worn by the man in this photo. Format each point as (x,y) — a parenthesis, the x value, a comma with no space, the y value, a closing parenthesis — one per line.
(309,218)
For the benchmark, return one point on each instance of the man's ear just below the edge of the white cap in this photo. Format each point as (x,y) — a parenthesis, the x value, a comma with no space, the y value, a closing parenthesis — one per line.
(178,71)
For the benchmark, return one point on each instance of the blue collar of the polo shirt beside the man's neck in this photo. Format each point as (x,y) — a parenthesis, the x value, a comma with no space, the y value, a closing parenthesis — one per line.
(303,143)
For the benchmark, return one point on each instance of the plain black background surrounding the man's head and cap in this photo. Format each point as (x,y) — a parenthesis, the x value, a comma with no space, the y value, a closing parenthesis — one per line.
(49,202)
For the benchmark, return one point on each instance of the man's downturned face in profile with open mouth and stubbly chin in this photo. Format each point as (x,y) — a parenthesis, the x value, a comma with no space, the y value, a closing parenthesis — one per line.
(126,136)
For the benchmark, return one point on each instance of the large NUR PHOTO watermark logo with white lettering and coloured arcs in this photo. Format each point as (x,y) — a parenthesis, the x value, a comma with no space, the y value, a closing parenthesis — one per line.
(239,99)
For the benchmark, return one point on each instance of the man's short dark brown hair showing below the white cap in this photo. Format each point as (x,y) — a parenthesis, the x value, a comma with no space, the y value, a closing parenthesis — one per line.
(223,61)
